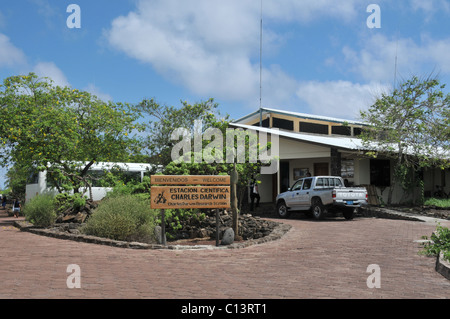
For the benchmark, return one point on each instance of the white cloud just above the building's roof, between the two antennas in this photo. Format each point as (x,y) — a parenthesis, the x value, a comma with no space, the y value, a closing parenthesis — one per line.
(341,99)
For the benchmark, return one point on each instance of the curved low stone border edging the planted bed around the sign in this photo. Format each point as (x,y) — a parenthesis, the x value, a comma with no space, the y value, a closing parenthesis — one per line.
(276,233)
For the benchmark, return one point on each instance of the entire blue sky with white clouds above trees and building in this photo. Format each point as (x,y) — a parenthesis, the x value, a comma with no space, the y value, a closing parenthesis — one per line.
(319,57)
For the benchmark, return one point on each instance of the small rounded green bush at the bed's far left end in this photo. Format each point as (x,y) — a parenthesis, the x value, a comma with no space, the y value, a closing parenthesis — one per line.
(40,210)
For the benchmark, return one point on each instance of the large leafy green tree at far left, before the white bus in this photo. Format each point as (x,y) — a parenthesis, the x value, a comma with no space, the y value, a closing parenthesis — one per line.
(62,130)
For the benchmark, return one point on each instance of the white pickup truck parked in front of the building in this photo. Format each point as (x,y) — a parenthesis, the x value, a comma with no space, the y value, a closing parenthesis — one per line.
(319,194)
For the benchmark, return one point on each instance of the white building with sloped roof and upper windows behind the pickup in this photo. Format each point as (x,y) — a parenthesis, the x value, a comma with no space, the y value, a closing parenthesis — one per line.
(327,146)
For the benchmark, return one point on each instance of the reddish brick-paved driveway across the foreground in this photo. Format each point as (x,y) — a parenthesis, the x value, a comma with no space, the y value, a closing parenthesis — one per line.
(326,259)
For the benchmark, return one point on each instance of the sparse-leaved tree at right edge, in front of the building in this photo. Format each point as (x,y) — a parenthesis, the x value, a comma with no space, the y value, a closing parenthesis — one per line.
(411,126)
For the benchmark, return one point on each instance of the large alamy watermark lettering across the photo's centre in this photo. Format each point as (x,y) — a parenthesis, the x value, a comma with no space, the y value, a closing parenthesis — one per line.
(241,146)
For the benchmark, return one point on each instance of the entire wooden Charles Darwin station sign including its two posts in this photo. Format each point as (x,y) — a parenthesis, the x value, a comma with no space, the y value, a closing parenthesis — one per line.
(190,191)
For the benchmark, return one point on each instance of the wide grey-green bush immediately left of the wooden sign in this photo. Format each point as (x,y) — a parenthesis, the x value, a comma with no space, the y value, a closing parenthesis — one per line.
(126,217)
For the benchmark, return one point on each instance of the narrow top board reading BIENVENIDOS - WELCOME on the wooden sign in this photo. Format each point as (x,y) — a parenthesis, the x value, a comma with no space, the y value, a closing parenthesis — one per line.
(190,180)
